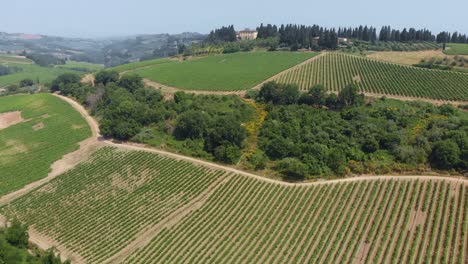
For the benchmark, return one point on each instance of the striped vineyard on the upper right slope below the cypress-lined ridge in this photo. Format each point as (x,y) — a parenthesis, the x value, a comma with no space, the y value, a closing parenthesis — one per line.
(336,70)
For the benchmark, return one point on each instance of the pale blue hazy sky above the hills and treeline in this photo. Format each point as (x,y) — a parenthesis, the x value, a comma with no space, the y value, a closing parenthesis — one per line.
(96,18)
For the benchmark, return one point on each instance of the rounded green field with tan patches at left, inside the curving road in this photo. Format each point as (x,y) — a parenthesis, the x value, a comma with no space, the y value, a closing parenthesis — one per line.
(26,154)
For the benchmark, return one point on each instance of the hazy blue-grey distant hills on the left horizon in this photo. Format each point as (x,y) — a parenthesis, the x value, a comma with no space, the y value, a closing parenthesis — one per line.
(108,51)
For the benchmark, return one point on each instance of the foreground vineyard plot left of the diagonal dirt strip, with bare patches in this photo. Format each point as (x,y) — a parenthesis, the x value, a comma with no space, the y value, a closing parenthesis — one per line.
(105,203)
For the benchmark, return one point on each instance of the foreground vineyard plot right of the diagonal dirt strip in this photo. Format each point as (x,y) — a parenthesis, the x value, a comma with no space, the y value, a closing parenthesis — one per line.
(249,221)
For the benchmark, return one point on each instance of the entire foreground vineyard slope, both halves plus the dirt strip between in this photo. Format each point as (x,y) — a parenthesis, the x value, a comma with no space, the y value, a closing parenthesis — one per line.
(139,207)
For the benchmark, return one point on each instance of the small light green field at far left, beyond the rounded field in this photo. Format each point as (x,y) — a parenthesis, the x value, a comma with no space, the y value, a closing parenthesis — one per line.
(34,72)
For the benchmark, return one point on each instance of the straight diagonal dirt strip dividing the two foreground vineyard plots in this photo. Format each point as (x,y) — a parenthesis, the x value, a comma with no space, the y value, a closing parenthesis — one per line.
(145,237)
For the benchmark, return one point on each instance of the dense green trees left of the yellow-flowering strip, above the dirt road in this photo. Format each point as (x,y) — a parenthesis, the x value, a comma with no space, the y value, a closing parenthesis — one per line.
(208,126)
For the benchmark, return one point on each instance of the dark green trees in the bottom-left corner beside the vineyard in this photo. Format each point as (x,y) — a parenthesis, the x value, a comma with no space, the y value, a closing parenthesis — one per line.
(14,247)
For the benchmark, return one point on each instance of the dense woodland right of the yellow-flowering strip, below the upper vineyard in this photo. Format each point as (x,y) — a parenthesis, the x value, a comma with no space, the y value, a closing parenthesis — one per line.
(316,134)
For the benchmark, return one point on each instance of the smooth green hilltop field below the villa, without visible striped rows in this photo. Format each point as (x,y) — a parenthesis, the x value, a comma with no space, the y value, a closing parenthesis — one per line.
(231,72)
